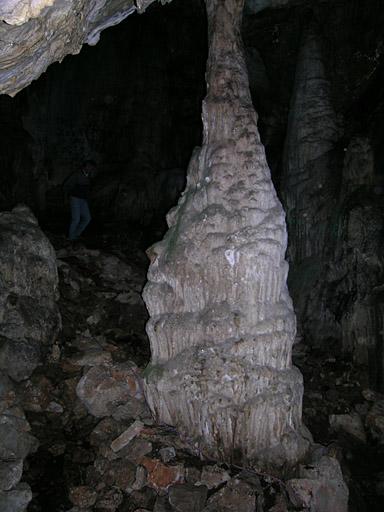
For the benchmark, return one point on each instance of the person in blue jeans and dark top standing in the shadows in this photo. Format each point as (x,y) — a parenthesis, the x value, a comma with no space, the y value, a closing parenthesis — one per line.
(77,186)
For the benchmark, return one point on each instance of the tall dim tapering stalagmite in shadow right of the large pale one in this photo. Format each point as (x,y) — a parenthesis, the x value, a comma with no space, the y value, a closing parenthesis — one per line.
(308,178)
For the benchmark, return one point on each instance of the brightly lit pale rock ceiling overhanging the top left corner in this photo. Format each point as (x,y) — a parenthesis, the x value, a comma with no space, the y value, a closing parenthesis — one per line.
(36,33)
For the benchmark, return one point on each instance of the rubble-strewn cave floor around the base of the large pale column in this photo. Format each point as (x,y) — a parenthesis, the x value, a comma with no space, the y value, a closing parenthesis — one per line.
(99,448)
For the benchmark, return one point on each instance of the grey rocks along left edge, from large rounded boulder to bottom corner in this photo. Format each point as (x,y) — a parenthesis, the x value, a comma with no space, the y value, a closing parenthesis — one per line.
(29,323)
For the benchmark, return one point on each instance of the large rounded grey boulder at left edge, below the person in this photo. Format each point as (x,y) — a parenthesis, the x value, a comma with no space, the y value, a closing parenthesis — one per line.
(29,317)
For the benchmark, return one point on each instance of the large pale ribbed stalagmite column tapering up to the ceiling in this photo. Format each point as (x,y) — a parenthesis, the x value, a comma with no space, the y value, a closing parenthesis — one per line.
(221,320)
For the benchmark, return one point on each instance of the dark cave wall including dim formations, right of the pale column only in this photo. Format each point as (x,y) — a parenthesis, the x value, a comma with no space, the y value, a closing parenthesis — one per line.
(321,125)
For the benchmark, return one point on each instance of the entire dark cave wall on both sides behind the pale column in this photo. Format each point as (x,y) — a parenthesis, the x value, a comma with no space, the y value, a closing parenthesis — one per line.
(133,104)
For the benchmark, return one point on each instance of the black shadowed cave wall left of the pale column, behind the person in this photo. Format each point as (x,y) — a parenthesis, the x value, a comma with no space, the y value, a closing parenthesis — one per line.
(132,104)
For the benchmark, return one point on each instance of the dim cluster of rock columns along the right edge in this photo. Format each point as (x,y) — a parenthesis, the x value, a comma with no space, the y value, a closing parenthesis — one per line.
(331,192)
